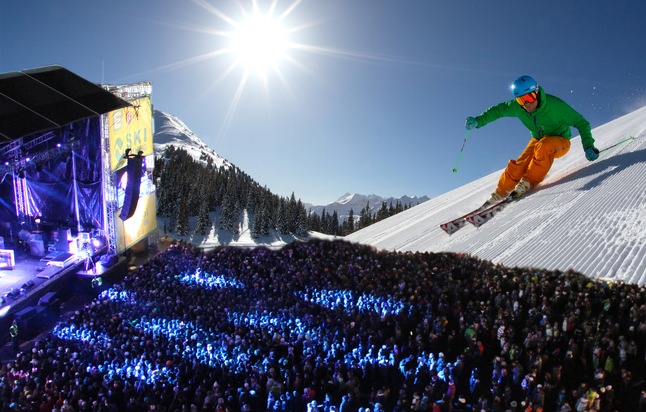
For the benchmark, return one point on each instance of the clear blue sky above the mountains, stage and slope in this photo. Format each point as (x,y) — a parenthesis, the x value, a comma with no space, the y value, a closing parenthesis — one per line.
(367,96)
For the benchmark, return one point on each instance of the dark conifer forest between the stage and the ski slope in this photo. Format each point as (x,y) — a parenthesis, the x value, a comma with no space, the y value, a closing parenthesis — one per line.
(185,188)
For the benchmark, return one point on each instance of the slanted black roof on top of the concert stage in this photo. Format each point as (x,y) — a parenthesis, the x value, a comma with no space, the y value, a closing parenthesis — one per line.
(49,97)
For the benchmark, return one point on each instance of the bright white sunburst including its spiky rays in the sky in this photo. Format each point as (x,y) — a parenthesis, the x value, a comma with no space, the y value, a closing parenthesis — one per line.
(259,40)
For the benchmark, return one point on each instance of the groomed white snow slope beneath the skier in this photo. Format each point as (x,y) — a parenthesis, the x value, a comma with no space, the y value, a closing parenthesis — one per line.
(586,216)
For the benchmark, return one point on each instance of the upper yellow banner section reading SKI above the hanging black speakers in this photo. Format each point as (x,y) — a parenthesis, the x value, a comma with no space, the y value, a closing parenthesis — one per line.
(130,128)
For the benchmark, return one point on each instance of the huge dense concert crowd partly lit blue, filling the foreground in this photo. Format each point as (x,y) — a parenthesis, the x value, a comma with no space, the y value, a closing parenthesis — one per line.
(334,326)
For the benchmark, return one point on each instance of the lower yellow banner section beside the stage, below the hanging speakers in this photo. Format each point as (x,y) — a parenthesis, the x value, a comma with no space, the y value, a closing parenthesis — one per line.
(140,225)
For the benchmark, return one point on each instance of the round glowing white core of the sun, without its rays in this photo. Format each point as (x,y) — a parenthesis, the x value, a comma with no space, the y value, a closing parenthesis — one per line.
(259,43)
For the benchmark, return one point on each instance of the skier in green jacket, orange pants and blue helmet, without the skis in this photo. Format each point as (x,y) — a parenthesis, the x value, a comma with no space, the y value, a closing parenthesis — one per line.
(548,118)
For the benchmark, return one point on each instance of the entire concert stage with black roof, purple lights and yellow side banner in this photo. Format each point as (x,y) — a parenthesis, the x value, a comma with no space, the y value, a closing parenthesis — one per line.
(70,184)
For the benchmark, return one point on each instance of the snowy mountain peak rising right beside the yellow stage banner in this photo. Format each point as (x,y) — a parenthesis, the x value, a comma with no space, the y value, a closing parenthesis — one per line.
(171,131)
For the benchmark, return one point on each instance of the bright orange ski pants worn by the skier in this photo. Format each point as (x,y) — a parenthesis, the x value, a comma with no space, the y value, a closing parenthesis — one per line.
(533,164)
